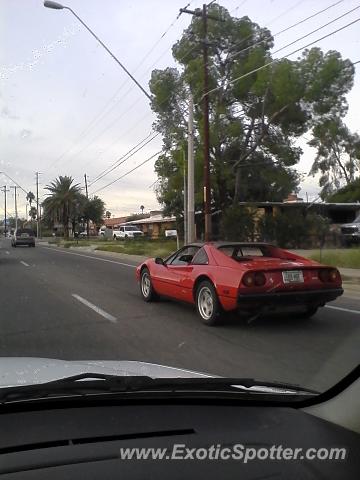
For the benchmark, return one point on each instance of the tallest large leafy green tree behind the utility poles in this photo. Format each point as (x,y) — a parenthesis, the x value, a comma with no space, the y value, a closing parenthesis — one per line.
(254,122)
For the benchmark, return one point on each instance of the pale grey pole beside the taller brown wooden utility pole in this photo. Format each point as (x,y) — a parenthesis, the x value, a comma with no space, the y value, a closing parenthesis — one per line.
(191,169)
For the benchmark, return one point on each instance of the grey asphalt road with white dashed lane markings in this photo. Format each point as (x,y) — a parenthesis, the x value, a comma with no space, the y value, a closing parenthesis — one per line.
(73,305)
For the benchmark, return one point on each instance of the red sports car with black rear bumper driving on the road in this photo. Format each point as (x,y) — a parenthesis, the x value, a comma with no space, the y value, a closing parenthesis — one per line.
(253,278)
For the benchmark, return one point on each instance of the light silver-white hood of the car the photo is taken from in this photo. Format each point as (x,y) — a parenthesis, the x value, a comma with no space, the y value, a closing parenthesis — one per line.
(16,371)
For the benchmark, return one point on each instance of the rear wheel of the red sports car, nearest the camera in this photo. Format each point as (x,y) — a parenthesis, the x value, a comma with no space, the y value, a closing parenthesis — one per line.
(207,303)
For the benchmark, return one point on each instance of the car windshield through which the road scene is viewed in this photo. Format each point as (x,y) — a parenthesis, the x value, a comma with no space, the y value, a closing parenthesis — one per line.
(186,174)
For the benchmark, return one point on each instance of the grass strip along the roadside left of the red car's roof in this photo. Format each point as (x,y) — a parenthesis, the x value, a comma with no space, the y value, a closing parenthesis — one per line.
(148,248)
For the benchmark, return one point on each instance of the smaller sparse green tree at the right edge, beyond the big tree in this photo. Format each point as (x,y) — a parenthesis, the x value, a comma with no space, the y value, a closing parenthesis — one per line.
(338,155)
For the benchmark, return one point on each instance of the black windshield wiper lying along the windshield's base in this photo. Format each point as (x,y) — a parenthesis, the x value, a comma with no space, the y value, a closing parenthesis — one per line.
(94,383)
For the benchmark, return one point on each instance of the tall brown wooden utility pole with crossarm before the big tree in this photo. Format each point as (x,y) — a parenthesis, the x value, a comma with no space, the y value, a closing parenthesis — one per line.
(207,188)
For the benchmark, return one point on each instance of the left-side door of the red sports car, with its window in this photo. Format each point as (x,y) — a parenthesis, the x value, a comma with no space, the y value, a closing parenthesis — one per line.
(174,278)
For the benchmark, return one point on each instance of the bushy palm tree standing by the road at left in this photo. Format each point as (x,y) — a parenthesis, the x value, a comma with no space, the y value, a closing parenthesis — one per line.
(62,201)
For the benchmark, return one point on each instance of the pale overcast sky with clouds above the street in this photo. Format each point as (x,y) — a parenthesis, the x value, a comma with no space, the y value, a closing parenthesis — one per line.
(66,107)
